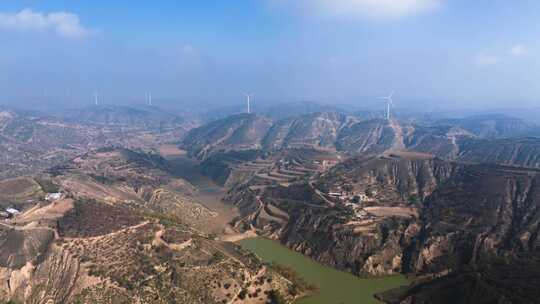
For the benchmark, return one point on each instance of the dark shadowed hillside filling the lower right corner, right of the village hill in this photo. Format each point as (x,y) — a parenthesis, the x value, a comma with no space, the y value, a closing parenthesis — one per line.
(481,229)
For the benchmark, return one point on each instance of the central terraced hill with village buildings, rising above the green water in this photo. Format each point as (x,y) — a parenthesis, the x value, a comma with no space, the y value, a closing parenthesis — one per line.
(305,218)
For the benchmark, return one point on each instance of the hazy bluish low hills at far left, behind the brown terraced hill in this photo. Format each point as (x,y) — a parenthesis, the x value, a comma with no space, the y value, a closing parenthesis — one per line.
(30,142)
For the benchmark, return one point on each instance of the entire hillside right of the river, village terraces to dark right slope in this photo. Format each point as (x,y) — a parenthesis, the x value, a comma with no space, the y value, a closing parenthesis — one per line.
(449,224)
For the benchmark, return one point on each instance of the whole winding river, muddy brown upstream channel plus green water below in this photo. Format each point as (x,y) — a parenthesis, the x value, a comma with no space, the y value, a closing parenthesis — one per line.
(335,287)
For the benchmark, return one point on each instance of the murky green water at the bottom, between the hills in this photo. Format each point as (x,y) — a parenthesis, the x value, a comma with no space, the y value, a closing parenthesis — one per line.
(335,287)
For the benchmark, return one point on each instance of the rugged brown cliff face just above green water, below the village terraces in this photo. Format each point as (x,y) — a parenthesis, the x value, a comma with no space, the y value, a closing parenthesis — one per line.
(325,236)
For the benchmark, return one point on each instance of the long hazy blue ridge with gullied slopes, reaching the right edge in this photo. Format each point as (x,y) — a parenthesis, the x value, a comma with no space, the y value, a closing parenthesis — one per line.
(492,138)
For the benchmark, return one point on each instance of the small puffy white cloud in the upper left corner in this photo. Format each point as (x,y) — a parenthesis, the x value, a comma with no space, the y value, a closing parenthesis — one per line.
(64,24)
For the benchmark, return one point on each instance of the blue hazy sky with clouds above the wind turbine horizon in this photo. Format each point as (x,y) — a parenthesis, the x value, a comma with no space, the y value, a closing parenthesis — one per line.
(432,53)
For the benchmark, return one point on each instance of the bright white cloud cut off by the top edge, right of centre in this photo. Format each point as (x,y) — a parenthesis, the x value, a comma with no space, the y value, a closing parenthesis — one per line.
(363,8)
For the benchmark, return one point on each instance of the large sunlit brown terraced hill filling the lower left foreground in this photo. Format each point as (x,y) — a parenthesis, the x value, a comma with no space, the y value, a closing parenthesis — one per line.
(126,230)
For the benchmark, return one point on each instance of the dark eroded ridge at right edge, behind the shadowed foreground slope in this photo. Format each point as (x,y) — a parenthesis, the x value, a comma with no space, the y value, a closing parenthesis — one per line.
(480,211)
